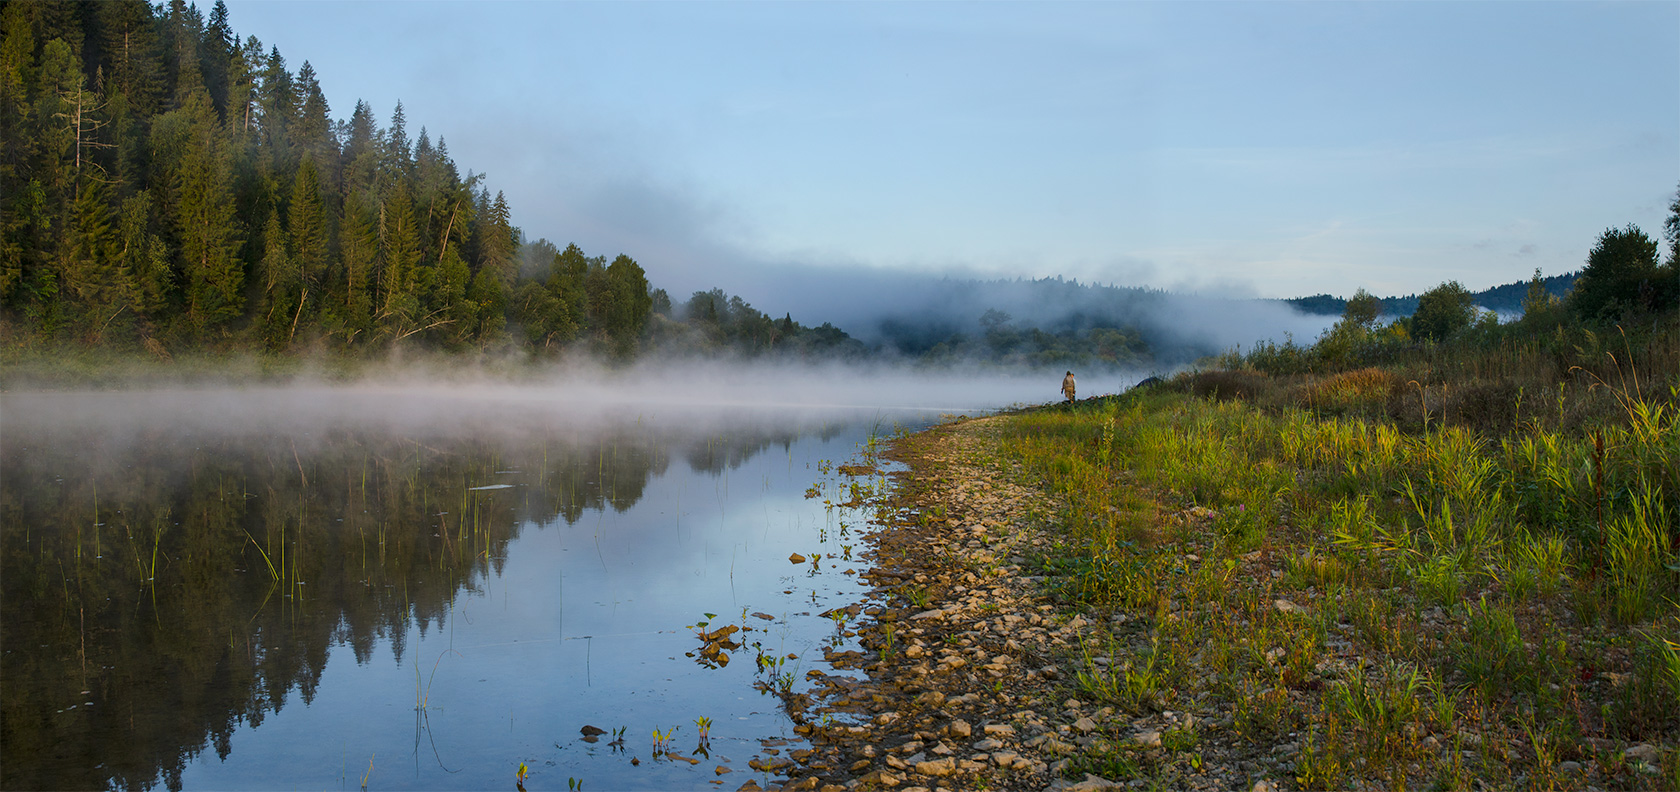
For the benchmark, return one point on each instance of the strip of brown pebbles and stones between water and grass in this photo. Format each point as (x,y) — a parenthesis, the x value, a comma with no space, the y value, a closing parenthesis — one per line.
(974,668)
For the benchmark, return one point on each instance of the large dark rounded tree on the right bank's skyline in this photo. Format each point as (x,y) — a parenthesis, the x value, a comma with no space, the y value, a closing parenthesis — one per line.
(1622,277)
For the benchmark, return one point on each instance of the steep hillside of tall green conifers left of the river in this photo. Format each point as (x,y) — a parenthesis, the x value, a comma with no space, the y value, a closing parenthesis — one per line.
(171,186)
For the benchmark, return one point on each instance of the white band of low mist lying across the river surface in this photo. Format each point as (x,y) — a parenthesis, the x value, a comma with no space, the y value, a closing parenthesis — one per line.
(577,399)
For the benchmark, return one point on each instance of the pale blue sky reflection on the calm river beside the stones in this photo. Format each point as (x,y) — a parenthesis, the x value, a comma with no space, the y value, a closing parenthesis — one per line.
(587,623)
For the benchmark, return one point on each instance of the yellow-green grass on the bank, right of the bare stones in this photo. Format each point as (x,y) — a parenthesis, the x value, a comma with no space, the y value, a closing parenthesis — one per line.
(1520,584)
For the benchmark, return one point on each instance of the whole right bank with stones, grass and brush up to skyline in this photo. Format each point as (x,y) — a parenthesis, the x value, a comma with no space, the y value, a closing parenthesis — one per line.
(1363,564)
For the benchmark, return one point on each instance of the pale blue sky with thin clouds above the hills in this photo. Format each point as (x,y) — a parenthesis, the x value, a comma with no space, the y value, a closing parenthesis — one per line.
(1251,149)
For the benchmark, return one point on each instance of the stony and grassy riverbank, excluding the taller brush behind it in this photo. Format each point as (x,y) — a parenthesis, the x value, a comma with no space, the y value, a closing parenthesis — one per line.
(1031,631)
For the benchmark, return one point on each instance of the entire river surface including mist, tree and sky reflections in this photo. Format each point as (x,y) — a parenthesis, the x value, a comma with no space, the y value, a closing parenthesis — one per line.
(426,586)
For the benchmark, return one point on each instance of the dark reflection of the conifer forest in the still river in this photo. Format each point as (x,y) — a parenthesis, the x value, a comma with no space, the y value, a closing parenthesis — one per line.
(160,594)
